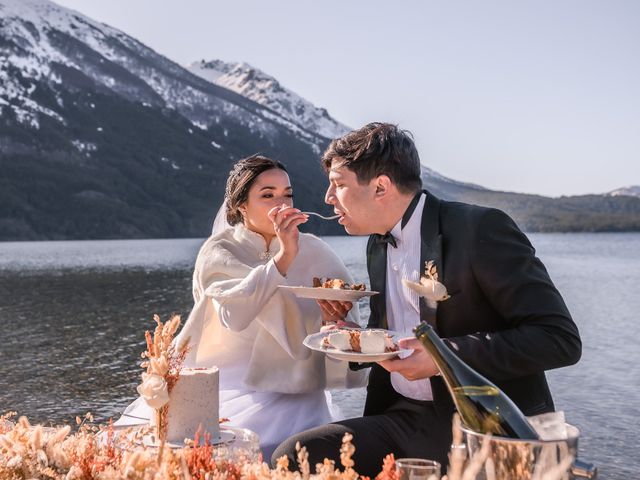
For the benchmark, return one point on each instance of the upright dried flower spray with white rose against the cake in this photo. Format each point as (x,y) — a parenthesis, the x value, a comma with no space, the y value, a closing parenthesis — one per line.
(163,364)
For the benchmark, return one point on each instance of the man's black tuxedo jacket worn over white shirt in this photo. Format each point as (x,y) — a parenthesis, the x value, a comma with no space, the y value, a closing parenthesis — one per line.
(505,318)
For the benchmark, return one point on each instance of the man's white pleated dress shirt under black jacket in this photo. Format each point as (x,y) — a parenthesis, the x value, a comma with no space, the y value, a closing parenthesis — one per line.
(403,307)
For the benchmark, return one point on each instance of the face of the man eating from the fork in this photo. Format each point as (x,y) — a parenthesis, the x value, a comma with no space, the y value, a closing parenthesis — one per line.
(353,201)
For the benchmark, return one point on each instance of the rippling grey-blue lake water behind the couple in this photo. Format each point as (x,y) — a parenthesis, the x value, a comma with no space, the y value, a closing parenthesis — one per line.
(73,316)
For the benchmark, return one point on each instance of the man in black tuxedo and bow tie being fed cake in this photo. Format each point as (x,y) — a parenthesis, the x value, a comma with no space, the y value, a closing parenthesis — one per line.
(504,318)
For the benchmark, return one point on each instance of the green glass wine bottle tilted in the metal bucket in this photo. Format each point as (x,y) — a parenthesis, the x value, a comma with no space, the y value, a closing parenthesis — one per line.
(482,406)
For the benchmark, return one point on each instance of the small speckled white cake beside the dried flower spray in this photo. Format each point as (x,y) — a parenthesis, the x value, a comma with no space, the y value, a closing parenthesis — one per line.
(194,402)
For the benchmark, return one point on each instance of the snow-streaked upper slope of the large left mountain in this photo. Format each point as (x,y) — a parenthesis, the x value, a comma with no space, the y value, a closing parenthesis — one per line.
(44,42)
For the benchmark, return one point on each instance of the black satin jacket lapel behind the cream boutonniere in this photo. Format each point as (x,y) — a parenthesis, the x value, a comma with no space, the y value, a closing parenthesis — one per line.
(430,249)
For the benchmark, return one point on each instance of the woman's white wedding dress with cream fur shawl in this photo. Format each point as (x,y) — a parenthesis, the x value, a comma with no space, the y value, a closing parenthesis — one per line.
(253,331)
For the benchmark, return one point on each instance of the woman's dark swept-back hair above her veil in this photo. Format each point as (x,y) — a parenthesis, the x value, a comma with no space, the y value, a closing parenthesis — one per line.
(241,177)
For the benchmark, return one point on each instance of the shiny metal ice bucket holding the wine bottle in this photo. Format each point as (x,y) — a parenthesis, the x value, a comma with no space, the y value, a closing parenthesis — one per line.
(513,459)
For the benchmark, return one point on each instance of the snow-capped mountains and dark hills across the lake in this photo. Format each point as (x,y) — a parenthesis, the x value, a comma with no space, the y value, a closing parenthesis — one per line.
(101,137)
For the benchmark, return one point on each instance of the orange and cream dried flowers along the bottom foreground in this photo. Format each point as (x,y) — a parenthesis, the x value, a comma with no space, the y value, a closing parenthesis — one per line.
(37,452)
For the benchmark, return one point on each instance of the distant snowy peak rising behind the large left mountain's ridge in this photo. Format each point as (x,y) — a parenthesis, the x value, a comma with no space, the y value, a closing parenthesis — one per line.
(256,85)
